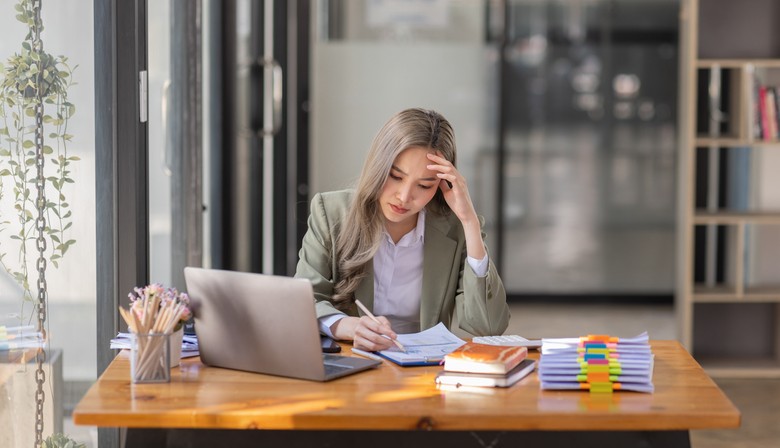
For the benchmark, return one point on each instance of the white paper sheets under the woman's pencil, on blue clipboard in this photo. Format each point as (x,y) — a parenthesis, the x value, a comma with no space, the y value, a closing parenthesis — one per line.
(424,348)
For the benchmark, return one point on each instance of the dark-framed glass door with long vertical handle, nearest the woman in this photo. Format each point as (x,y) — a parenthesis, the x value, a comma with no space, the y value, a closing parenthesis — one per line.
(245,153)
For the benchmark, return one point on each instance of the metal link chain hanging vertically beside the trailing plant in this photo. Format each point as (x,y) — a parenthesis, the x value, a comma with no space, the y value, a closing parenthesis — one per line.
(40,225)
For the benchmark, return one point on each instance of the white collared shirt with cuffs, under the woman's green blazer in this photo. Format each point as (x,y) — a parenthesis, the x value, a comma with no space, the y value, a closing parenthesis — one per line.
(398,275)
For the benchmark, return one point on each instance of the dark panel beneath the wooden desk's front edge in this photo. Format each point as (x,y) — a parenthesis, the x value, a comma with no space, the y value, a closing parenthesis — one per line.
(194,438)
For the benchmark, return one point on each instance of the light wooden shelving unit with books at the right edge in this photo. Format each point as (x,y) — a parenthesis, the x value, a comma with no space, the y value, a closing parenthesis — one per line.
(729,322)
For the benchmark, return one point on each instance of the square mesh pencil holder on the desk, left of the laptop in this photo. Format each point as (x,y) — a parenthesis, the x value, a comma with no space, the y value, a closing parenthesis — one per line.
(150,357)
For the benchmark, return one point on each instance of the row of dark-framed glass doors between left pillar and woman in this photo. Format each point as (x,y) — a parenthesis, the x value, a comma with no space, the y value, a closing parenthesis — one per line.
(218,160)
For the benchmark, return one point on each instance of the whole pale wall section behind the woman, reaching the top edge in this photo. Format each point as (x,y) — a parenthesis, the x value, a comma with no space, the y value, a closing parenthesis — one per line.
(361,80)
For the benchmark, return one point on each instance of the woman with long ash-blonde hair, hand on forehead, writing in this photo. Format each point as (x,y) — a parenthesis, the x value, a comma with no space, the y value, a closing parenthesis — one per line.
(401,242)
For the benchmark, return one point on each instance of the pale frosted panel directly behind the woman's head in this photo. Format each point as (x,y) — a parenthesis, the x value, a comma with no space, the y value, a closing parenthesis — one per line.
(358,86)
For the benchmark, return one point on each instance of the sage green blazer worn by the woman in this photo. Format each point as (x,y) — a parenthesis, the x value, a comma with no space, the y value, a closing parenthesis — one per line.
(449,283)
